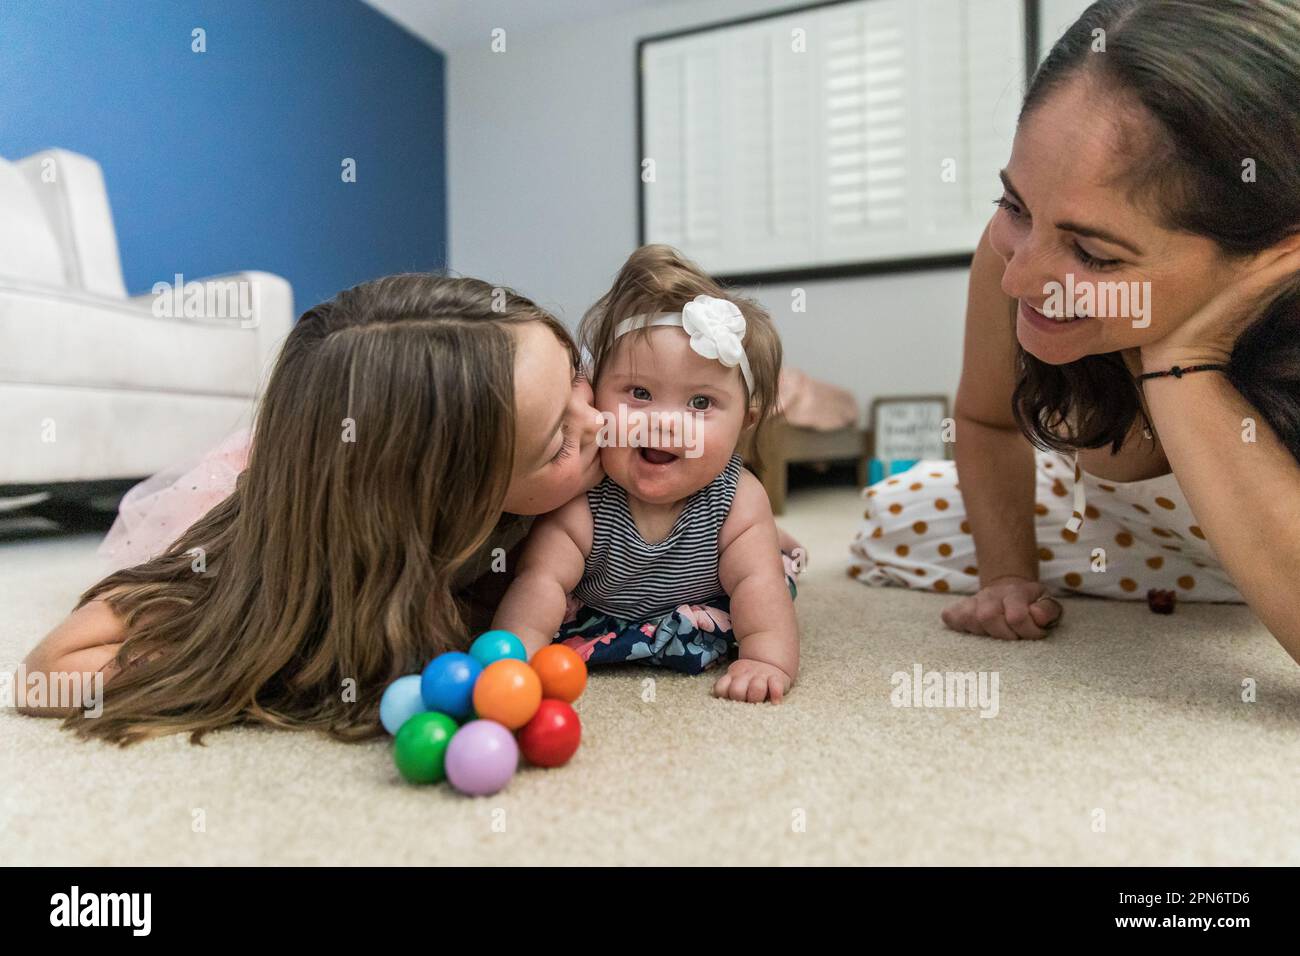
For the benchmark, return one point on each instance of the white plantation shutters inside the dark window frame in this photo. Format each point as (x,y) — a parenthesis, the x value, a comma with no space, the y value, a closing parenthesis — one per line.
(772,159)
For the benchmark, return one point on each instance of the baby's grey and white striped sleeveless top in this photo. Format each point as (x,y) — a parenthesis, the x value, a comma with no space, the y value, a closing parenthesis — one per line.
(631,579)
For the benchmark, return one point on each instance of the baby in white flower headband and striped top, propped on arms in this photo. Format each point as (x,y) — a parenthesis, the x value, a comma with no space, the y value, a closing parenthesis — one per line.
(675,553)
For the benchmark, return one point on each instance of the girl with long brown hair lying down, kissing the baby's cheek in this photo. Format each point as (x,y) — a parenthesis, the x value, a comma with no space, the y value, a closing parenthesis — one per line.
(401,422)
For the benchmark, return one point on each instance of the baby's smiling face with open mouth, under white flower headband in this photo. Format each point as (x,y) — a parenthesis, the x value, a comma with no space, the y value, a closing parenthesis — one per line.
(673,417)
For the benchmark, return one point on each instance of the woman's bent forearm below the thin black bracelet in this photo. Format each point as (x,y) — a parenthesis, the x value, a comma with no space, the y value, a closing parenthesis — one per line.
(1246,495)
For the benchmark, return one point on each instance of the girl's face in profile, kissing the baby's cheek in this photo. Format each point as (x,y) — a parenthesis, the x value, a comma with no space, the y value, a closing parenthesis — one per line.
(556,426)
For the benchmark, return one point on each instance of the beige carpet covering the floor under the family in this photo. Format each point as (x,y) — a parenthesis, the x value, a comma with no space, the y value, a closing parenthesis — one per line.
(1121,713)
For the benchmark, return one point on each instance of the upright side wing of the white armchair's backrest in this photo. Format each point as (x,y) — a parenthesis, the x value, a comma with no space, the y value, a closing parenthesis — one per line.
(72,193)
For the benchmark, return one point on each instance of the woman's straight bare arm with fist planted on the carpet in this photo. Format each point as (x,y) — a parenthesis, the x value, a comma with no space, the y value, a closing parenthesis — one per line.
(995,466)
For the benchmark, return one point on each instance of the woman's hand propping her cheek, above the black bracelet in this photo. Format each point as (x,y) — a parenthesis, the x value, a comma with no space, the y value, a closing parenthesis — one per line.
(1211,334)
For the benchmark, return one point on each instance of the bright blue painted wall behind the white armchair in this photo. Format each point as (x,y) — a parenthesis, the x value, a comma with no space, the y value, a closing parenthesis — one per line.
(232,159)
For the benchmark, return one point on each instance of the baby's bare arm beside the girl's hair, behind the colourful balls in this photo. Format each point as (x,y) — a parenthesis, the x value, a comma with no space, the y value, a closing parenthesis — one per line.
(551,566)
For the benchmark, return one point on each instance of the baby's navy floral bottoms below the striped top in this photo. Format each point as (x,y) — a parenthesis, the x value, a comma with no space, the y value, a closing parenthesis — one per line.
(690,639)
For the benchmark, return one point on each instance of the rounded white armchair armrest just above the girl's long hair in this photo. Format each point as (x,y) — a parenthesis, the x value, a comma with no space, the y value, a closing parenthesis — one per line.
(255,301)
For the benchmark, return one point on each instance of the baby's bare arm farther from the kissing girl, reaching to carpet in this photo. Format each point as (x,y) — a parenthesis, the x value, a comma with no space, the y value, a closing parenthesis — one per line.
(755,577)
